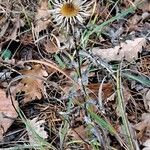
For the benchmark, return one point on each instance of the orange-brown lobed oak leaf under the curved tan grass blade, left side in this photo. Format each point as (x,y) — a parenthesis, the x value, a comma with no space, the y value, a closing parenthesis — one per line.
(33,87)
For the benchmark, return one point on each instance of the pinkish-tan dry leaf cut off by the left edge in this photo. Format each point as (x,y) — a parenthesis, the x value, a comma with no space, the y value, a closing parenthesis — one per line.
(7,112)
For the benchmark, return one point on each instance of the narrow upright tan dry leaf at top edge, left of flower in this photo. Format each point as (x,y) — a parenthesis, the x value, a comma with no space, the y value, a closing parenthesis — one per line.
(42,17)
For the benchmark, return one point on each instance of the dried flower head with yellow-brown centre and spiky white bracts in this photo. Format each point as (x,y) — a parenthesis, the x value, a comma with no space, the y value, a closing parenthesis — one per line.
(67,13)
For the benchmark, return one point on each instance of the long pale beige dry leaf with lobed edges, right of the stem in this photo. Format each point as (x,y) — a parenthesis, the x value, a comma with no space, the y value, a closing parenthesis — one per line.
(128,50)
